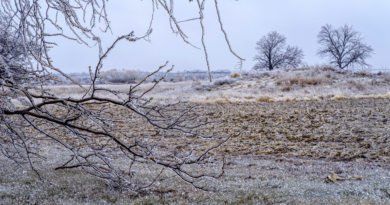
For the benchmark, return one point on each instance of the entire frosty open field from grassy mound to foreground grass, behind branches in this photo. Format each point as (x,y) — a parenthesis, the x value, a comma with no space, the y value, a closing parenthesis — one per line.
(295,128)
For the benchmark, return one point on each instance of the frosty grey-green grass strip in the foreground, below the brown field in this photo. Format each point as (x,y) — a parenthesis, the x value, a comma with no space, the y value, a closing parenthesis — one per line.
(247,180)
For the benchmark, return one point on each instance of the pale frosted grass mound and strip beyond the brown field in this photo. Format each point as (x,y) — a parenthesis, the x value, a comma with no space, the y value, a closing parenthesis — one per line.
(314,83)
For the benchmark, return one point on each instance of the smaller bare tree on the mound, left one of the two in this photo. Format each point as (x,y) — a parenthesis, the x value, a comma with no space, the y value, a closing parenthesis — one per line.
(273,52)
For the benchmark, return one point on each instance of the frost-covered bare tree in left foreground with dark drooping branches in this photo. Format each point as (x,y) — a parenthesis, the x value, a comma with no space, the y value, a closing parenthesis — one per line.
(89,128)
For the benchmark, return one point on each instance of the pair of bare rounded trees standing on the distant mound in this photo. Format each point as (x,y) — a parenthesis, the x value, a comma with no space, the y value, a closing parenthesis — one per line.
(342,47)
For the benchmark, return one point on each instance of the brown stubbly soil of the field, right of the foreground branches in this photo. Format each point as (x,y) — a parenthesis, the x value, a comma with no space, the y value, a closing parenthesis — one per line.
(340,130)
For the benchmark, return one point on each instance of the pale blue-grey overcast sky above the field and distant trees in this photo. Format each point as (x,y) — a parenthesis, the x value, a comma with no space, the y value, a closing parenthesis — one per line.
(245,22)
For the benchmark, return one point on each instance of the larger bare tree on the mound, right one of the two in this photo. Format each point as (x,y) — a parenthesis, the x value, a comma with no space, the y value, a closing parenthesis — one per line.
(343,47)
